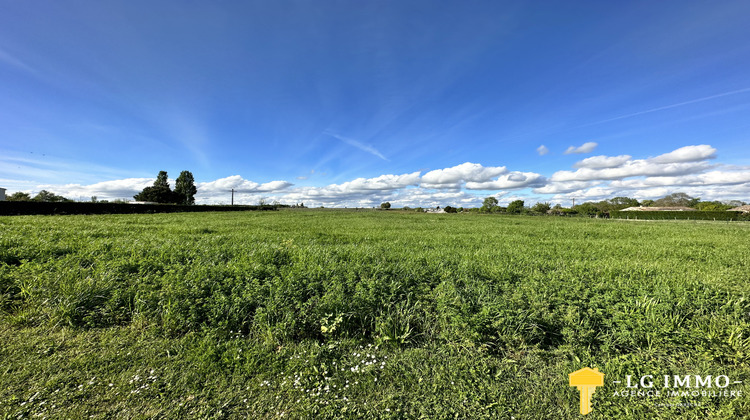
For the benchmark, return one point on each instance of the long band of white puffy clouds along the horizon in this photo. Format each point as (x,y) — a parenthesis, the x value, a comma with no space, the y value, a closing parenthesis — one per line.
(596,178)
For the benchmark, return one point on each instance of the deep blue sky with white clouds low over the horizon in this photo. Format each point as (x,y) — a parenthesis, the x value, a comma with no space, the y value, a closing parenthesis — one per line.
(350,103)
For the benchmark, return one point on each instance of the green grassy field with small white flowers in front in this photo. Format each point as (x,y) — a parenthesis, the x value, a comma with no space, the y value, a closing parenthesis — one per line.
(315,314)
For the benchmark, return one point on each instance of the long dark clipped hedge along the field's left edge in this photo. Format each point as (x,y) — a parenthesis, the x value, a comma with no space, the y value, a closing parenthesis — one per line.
(15,208)
